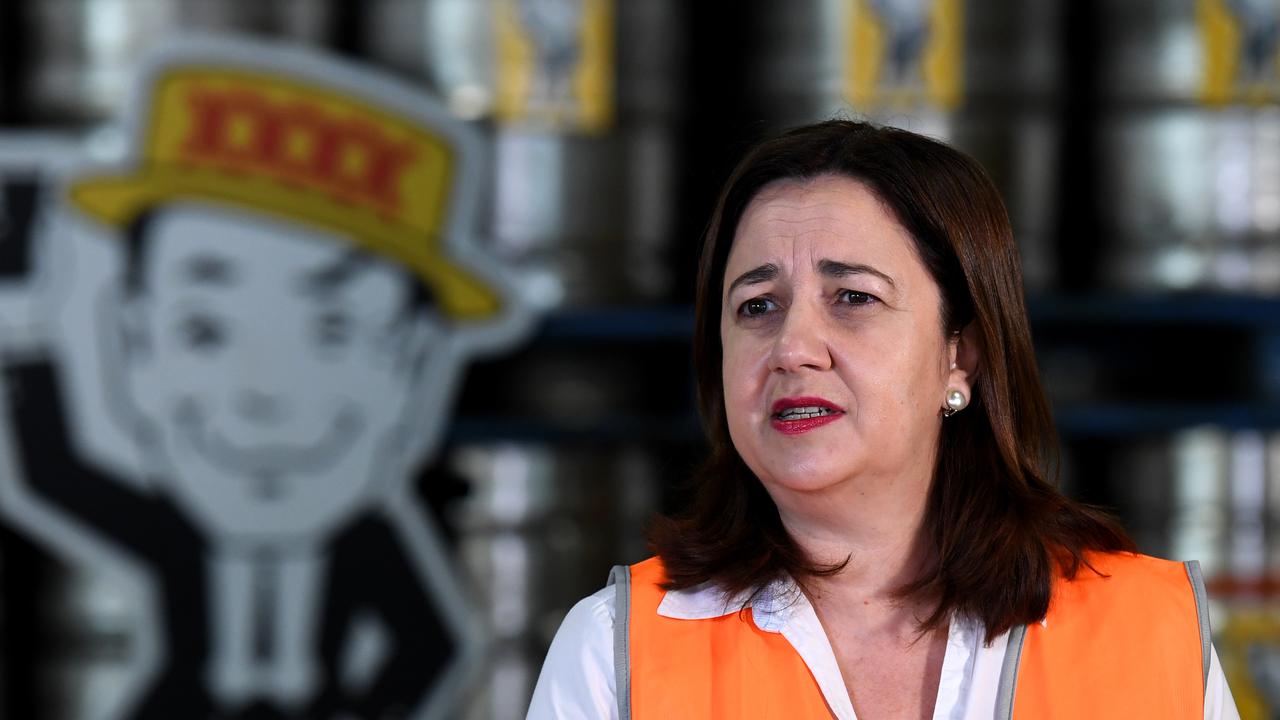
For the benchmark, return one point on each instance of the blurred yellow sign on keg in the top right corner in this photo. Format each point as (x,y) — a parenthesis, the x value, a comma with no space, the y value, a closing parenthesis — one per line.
(1241,58)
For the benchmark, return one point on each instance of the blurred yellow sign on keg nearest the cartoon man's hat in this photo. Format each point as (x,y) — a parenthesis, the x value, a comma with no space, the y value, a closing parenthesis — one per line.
(555,63)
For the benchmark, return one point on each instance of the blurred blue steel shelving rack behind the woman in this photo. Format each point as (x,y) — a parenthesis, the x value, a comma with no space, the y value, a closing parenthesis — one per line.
(1255,320)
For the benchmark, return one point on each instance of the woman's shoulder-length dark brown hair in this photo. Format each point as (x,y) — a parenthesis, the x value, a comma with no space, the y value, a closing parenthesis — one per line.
(999,526)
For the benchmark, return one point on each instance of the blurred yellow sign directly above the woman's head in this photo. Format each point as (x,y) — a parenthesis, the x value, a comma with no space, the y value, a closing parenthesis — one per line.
(904,54)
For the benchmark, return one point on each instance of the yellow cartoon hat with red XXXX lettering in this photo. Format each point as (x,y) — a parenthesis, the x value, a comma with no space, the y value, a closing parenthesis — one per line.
(305,152)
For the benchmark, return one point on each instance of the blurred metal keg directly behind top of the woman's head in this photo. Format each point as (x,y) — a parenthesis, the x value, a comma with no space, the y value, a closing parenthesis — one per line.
(981,76)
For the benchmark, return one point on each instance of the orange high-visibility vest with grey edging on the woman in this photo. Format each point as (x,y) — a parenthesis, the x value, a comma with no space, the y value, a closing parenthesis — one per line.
(1131,640)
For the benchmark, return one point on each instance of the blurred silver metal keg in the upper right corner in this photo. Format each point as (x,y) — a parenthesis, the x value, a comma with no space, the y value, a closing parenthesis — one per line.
(1191,144)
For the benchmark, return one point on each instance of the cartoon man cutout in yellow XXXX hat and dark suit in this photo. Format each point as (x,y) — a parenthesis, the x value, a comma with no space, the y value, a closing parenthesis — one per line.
(292,315)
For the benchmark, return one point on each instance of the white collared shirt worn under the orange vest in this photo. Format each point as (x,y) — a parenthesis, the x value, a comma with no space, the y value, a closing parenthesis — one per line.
(578,681)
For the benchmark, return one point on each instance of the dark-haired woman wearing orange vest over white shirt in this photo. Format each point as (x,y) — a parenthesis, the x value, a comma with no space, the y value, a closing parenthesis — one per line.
(876,534)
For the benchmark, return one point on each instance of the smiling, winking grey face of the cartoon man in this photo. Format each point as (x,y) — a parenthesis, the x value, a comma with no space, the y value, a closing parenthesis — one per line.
(272,363)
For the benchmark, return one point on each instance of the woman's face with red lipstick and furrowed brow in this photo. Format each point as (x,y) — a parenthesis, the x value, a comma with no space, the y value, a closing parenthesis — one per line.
(836,364)
